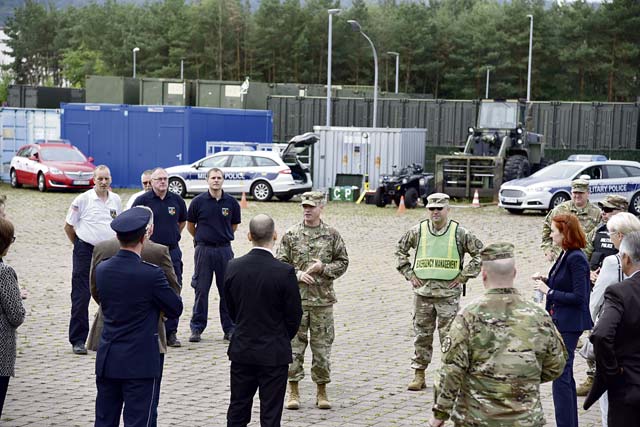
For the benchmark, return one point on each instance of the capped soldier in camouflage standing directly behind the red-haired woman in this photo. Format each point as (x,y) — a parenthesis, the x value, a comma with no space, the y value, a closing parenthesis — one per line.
(588,214)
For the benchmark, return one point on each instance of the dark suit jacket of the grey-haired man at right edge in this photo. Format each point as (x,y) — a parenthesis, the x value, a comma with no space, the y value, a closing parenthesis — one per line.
(616,341)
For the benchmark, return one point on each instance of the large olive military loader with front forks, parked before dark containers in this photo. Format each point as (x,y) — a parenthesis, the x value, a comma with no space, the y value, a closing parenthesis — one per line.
(498,149)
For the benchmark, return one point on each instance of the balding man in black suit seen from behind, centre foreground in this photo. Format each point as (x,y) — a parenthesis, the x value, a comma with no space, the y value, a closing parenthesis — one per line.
(264,303)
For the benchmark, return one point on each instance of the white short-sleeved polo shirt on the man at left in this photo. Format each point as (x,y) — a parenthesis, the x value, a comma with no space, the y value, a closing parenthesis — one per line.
(91,217)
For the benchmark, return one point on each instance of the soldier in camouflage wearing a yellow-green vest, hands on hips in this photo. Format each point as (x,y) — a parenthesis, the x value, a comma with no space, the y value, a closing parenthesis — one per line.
(437,276)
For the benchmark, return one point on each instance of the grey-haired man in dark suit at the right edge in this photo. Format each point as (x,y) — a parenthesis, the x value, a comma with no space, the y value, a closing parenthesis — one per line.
(616,342)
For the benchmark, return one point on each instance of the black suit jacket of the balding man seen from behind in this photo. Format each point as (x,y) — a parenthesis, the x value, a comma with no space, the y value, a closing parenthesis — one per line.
(263,300)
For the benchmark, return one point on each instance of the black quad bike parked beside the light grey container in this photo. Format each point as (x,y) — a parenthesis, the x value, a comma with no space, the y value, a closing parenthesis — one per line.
(411,182)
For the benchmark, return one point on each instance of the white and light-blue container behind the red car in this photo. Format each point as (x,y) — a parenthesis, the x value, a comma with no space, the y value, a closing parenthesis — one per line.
(21,126)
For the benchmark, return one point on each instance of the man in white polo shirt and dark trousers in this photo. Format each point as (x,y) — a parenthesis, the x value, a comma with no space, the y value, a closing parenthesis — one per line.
(87,224)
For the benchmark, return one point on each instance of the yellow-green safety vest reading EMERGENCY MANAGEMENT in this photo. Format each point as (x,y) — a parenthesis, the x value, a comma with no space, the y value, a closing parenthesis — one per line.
(437,257)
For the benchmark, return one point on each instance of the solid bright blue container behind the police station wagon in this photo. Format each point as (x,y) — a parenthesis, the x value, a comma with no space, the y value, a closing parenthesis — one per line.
(132,138)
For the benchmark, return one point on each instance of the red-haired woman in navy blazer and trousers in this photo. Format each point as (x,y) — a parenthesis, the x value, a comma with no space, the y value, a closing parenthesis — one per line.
(567,289)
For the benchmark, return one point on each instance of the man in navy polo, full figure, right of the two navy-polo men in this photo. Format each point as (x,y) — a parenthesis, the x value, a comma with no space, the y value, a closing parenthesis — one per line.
(212,219)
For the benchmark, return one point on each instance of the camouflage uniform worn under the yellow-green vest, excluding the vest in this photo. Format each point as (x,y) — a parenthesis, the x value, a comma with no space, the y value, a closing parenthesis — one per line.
(434,300)
